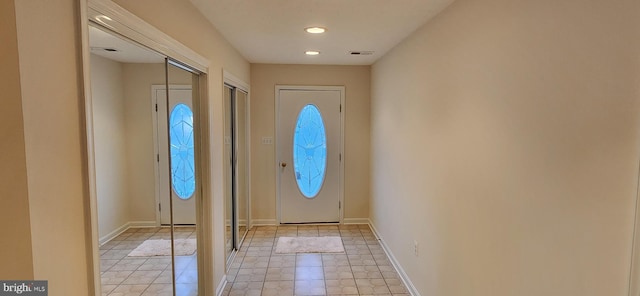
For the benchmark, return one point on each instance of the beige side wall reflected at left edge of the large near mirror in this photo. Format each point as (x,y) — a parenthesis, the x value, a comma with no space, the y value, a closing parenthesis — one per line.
(109,138)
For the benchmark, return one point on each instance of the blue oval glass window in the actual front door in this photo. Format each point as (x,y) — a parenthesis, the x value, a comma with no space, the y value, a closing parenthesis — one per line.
(309,151)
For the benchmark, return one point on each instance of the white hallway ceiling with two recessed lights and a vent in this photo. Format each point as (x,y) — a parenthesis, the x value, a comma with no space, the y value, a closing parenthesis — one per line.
(272,31)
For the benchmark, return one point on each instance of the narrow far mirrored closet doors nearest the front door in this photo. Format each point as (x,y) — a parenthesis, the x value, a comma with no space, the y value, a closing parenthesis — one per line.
(236,167)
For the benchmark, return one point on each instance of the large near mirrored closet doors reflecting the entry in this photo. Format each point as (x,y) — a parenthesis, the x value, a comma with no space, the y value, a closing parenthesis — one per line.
(145,133)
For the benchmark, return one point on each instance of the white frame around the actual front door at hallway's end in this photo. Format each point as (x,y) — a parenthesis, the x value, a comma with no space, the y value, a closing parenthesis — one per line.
(276,166)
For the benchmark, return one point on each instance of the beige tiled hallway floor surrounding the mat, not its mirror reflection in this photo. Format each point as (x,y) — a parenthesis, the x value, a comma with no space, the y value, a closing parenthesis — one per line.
(363,269)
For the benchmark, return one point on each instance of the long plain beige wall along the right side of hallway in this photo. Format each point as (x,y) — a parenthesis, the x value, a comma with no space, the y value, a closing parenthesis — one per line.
(505,141)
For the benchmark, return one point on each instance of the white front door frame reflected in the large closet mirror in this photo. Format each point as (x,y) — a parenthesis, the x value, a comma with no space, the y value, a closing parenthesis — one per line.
(156,145)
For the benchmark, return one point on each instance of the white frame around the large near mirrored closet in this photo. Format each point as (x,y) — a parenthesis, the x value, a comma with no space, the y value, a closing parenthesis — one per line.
(118,20)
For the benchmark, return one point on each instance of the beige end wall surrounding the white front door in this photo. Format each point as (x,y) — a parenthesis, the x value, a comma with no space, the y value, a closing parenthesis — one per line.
(264,78)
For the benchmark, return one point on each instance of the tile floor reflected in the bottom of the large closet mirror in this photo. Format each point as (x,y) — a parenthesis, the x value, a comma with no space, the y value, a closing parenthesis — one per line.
(135,276)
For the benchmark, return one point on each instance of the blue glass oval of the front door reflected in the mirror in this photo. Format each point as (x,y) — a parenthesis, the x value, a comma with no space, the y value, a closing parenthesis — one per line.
(182,151)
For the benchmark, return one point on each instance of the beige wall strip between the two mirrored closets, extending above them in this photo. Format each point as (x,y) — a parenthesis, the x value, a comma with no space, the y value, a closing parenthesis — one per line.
(182,21)
